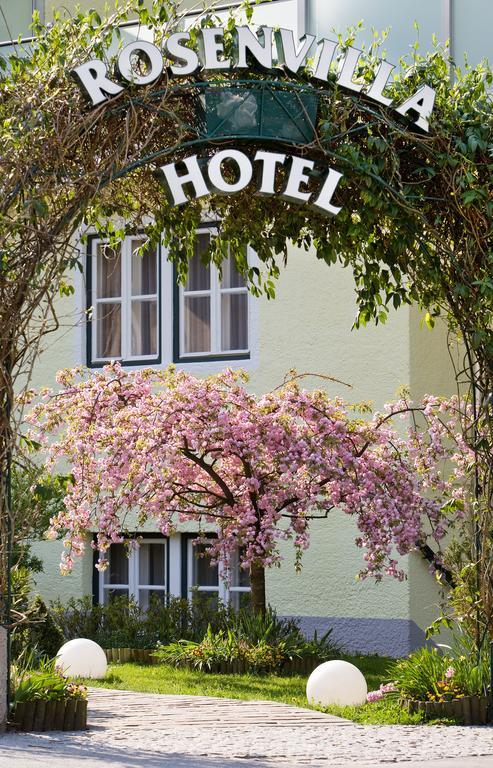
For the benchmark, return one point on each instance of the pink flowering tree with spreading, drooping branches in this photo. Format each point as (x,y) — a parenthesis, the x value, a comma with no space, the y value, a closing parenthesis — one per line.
(169,447)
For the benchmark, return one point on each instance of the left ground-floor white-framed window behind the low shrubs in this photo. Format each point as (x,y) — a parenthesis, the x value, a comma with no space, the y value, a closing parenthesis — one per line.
(142,575)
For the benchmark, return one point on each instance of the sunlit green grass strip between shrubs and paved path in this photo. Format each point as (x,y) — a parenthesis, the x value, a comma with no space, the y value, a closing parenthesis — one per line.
(288,690)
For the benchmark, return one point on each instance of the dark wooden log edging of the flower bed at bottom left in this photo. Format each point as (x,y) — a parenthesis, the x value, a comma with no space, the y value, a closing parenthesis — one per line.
(40,715)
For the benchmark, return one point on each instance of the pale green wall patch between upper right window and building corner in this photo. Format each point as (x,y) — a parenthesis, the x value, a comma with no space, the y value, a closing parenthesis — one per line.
(308,326)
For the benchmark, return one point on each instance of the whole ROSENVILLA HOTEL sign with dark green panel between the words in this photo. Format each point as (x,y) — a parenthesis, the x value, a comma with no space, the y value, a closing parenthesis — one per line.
(278,51)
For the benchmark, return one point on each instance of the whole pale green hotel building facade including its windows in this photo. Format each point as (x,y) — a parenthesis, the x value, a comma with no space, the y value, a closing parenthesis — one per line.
(141,316)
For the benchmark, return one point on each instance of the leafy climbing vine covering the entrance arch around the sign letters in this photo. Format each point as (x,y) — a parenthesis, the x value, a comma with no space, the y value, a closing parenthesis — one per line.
(414,225)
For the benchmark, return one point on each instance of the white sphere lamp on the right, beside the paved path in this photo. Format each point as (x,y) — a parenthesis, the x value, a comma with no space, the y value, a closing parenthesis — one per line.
(336,682)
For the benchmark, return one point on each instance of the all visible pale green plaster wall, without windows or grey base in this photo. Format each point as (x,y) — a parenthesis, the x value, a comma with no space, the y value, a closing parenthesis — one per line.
(307,326)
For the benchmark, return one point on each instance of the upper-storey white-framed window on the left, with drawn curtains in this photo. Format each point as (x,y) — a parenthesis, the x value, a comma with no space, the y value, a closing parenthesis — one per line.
(125,302)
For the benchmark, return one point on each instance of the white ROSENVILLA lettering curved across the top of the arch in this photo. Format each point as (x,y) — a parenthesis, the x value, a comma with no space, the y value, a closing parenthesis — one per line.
(255,48)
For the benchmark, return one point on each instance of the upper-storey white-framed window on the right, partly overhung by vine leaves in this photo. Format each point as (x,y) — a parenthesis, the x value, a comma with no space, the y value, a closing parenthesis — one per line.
(213,311)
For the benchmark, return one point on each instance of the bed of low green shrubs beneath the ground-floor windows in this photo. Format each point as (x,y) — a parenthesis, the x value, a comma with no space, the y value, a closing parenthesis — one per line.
(197,632)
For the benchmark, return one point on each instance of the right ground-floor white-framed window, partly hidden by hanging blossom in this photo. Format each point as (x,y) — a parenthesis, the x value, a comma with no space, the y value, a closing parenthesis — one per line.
(205,581)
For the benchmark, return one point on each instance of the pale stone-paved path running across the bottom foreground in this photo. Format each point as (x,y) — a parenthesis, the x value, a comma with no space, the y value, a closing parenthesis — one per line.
(136,730)
